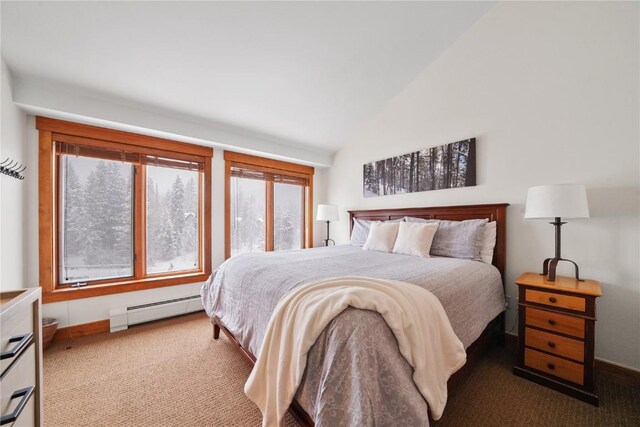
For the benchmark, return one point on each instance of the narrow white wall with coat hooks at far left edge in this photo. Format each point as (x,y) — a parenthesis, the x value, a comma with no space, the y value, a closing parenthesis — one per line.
(12,191)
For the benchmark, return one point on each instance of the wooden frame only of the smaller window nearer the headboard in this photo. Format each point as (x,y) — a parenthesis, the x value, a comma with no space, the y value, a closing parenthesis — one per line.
(232,159)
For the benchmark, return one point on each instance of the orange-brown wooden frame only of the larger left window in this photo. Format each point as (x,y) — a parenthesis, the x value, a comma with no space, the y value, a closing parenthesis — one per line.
(51,130)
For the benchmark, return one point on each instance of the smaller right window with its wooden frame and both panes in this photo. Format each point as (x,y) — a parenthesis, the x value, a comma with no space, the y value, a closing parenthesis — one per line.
(268,205)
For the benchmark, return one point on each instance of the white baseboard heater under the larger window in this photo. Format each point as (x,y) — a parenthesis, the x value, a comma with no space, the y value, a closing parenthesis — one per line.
(120,318)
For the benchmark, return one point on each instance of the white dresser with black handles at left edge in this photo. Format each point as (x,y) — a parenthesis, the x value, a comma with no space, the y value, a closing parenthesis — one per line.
(21,358)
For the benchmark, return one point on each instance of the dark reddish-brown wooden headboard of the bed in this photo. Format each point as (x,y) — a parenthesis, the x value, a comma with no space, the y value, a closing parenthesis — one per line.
(494,212)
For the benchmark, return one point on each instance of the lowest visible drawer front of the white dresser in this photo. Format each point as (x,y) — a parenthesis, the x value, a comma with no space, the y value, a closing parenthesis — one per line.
(19,376)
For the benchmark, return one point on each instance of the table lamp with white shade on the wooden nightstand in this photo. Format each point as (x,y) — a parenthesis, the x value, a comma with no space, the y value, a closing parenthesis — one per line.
(557,201)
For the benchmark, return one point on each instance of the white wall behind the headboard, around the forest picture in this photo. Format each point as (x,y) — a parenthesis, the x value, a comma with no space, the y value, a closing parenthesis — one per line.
(551,92)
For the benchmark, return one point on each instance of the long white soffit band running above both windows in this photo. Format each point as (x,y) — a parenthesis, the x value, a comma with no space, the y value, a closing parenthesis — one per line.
(55,100)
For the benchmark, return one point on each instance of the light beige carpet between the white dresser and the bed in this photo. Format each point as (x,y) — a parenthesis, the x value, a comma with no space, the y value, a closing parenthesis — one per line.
(166,373)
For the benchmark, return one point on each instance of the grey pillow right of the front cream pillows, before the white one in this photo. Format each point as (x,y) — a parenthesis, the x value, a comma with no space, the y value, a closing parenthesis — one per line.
(459,239)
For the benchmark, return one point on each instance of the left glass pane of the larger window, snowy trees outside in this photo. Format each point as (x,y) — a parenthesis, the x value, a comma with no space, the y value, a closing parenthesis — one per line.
(96,219)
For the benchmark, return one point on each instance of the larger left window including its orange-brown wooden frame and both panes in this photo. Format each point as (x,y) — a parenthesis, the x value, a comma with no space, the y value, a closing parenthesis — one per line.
(119,211)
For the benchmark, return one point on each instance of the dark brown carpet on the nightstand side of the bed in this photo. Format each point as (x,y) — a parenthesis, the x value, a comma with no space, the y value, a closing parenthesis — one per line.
(493,396)
